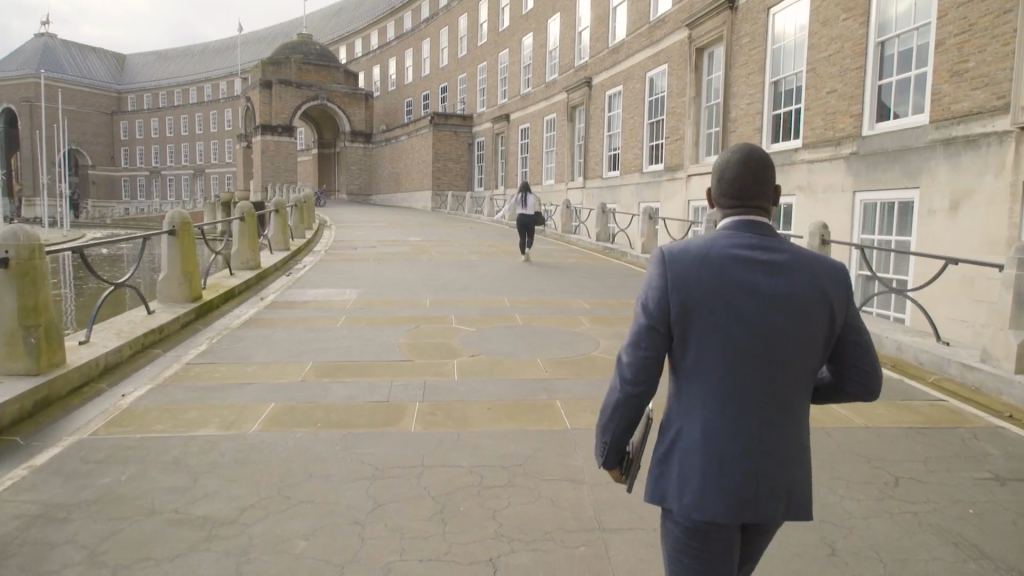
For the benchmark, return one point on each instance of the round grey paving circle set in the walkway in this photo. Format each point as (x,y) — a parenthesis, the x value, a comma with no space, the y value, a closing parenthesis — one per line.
(529,342)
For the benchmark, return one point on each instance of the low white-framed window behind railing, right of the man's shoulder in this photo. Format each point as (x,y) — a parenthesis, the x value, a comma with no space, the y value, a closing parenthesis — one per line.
(885,220)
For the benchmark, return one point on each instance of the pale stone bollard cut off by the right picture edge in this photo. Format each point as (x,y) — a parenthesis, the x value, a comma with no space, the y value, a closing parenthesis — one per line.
(1005,348)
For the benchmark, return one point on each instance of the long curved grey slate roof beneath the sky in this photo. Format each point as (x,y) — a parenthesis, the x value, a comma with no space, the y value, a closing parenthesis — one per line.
(106,69)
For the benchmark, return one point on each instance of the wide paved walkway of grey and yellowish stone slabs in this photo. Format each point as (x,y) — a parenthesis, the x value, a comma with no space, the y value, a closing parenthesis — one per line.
(419,402)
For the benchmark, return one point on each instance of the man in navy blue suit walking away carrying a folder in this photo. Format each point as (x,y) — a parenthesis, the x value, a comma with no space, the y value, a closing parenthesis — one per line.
(747,321)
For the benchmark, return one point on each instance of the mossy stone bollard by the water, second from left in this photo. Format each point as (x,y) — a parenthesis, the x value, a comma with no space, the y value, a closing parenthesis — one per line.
(181,281)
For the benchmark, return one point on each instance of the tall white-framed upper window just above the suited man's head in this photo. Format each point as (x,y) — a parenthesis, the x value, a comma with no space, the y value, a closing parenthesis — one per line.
(785,75)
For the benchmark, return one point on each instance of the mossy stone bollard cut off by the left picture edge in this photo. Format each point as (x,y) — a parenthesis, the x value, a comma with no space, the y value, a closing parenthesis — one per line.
(31,338)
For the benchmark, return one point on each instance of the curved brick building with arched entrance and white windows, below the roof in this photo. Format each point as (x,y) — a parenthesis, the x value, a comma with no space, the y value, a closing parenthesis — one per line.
(895,121)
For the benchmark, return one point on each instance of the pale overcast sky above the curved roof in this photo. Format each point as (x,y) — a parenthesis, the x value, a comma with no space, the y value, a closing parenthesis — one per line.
(143,25)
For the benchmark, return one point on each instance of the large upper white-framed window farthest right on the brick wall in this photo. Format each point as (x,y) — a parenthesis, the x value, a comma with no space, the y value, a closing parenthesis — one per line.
(901,52)
